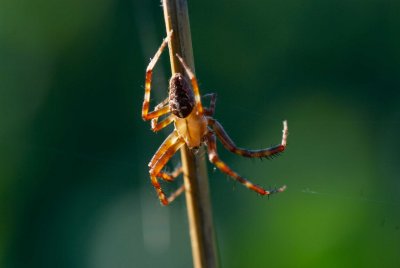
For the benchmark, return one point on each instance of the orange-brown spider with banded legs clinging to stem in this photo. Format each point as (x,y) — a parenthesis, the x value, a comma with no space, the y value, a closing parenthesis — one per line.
(194,126)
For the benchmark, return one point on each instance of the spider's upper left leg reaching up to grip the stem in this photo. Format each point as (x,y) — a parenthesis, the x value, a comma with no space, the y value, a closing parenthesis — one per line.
(146,115)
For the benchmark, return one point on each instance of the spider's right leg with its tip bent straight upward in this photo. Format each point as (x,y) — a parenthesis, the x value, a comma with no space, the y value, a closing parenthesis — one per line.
(230,145)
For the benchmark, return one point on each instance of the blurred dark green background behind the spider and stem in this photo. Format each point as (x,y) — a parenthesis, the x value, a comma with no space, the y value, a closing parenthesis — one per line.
(74,186)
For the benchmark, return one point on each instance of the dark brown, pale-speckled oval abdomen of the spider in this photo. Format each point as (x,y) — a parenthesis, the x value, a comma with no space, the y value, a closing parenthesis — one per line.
(181,97)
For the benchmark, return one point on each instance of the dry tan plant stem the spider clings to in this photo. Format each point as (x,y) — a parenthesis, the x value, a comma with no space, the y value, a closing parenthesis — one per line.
(194,166)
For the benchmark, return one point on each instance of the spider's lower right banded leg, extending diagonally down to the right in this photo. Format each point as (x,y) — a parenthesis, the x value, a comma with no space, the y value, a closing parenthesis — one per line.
(214,158)
